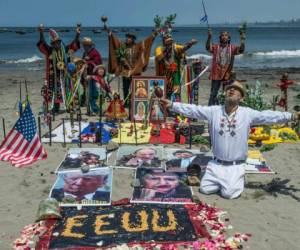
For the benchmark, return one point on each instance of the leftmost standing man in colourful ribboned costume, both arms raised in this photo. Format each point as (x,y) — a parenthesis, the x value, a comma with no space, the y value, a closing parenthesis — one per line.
(57,57)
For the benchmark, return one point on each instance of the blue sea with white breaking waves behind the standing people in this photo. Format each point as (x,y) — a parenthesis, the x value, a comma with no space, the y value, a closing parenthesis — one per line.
(266,47)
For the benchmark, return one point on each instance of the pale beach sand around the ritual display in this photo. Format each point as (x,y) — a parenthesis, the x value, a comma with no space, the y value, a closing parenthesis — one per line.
(274,222)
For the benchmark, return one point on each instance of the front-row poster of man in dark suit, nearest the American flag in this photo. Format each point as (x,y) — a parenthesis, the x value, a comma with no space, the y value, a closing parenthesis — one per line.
(75,188)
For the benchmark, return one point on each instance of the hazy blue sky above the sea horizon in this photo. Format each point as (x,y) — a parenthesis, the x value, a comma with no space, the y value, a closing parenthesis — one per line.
(141,12)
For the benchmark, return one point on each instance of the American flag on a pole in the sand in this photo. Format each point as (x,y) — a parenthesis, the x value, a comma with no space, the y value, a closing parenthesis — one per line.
(22,146)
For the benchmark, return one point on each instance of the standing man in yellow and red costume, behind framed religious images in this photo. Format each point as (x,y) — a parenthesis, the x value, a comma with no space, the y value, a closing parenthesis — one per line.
(168,61)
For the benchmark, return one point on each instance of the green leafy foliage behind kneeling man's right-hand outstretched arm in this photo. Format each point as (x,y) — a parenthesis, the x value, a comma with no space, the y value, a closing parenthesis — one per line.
(254,98)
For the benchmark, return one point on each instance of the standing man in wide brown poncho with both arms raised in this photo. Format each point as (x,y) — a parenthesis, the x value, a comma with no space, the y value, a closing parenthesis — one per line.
(128,58)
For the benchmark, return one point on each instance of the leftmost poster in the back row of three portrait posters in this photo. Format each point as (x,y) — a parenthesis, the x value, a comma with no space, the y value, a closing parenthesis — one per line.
(78,157)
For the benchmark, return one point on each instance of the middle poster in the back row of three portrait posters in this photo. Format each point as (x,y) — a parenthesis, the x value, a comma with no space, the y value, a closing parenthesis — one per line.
(139,156)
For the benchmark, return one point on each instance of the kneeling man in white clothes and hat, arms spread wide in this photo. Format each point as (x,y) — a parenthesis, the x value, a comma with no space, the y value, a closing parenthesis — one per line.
(230,125)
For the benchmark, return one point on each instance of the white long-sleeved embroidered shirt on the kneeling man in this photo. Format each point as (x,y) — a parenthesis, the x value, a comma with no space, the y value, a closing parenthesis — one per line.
(225,146)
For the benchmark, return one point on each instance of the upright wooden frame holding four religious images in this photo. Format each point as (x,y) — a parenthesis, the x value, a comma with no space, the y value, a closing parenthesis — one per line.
(145,104)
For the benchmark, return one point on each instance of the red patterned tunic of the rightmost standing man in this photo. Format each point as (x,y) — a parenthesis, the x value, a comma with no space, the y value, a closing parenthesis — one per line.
(222,72)
